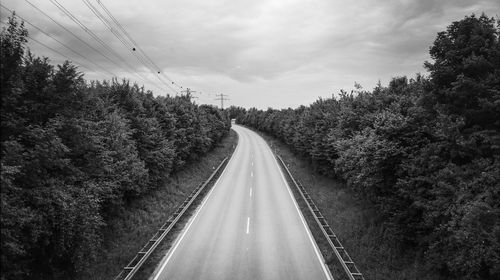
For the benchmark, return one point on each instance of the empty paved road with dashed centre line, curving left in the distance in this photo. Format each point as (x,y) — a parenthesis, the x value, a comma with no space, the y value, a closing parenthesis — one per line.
(248,226)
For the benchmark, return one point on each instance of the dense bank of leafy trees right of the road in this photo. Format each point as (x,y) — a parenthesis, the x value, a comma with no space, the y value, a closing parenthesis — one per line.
(425,152)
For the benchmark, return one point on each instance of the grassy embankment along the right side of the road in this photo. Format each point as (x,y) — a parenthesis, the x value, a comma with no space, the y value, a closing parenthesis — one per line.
(355,223)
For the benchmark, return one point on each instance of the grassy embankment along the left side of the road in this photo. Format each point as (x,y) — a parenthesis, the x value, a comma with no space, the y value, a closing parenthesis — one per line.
(137,223)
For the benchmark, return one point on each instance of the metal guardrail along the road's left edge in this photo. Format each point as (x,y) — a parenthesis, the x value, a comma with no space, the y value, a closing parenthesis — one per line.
(133,266)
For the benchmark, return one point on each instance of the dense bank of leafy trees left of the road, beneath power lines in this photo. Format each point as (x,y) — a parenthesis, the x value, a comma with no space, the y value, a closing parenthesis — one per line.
(73,152)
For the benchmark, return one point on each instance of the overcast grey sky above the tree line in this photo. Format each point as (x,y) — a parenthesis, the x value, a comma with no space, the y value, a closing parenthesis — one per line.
(260,53)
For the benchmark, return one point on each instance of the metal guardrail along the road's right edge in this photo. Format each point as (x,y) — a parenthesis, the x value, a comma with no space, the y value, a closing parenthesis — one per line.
(345,260)
